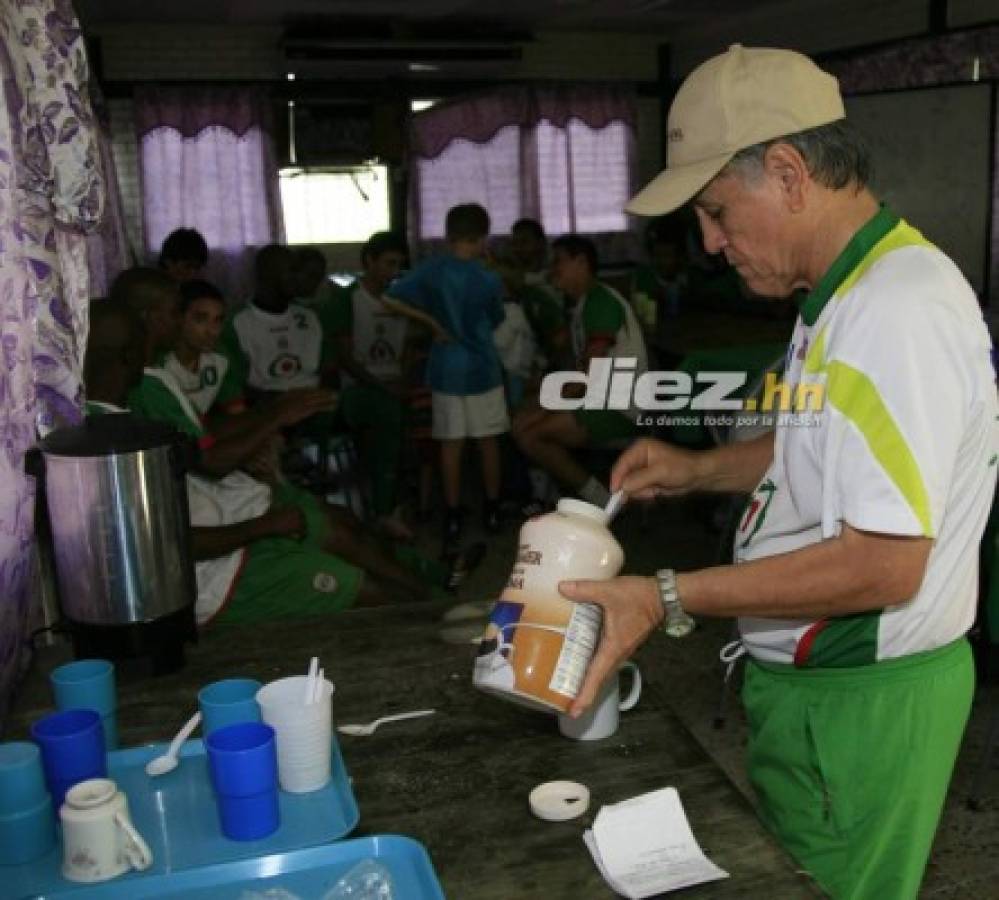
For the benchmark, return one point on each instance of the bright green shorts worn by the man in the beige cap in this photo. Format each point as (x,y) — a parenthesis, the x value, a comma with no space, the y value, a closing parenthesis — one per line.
(851,765)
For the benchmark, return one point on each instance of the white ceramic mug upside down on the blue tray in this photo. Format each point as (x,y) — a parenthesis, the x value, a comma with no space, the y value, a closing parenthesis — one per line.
(99,839)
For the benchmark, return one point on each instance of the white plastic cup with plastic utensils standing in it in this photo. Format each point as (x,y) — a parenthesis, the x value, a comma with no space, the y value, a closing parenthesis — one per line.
(304,732)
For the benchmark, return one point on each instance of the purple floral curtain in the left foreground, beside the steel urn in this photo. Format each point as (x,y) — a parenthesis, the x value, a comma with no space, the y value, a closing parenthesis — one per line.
(51,196)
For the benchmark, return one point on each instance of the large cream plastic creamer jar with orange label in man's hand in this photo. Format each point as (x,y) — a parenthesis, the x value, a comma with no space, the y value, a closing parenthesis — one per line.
(538,644)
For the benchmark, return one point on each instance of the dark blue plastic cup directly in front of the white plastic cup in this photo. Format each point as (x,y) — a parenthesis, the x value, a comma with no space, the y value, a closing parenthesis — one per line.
(242,762)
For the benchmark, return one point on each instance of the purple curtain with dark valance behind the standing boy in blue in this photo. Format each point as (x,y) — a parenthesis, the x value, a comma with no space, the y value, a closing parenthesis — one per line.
(562,154)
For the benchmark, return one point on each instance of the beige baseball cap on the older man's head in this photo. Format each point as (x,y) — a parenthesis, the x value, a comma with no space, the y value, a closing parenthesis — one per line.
(739,98)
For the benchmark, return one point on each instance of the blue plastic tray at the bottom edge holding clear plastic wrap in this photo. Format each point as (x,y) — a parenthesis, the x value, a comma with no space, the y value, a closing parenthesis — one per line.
(308,874)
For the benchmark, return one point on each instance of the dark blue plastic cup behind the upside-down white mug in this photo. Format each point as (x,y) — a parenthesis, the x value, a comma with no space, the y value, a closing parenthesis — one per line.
(72,747)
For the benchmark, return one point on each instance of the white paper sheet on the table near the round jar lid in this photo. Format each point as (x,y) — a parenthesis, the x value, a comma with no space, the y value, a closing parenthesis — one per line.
(644,846)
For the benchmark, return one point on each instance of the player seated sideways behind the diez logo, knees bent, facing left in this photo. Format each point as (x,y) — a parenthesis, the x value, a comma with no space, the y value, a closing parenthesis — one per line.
(601,324)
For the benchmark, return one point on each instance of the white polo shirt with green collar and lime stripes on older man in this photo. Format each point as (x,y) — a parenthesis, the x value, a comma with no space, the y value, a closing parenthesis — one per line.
(905,444)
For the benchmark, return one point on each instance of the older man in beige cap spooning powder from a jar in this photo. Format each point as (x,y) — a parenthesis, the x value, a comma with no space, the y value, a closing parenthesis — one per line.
(856,559)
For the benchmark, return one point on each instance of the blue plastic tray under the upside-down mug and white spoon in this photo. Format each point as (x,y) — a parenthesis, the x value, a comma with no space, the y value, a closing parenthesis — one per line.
(176,814)
